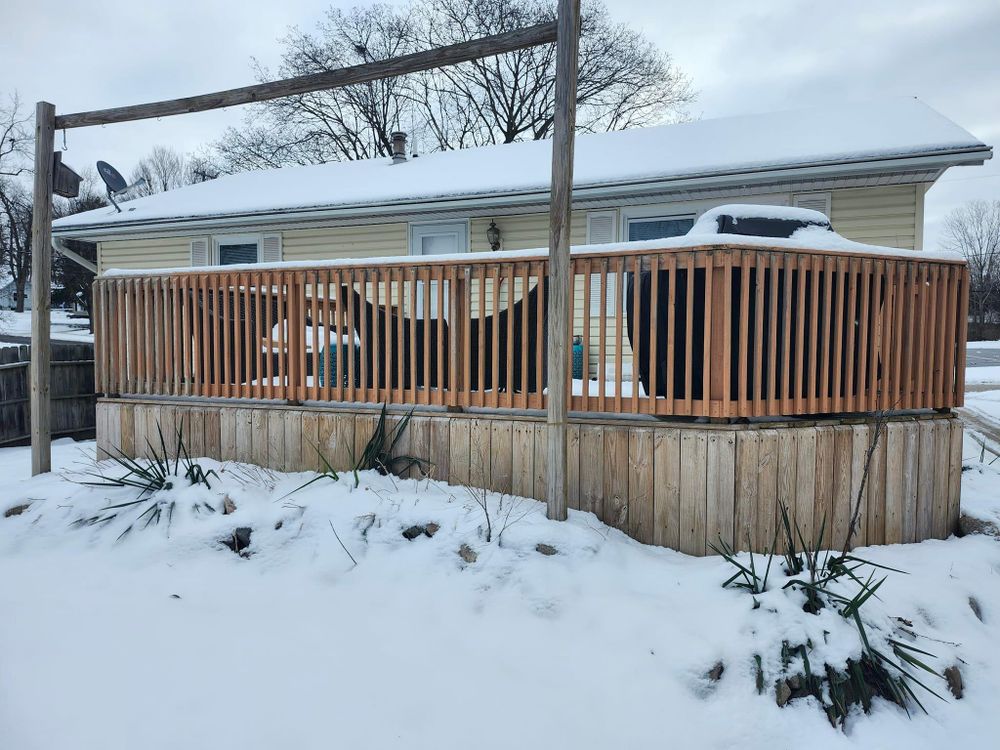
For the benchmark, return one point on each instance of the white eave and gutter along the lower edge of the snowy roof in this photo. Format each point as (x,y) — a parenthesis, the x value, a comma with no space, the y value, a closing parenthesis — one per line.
(971,155)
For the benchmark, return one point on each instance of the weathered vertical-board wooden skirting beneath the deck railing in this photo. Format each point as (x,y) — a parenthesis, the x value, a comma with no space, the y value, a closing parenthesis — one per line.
(679,485)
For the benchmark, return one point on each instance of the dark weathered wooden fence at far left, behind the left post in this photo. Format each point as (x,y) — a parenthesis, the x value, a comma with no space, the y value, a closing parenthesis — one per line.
(72,383)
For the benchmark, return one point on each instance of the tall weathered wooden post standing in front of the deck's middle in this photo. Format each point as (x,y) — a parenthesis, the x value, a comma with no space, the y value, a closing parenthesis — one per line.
(560,277)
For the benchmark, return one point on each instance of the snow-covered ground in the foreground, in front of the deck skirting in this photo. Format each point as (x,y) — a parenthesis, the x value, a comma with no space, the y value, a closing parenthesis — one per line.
(166,639)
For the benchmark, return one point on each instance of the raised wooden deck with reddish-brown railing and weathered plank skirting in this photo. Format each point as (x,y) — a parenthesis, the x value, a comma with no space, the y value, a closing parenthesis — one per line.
(786,356)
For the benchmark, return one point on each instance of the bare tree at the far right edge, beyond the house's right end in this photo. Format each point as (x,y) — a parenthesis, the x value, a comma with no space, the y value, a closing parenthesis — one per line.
(974,231)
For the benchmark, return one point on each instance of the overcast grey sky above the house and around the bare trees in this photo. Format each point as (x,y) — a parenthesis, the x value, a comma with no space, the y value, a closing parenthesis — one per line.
(742,57)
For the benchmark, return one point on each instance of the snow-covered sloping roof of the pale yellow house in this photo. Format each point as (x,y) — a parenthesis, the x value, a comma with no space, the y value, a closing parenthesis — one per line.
(815,137)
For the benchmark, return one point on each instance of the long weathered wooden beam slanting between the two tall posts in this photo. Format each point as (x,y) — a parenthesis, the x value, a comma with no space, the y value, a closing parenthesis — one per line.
(496,44)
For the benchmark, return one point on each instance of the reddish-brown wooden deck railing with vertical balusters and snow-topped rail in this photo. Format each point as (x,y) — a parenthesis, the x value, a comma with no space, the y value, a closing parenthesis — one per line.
(716,331)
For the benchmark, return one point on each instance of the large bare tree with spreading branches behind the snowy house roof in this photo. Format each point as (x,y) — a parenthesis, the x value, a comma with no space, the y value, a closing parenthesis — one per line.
(624,81)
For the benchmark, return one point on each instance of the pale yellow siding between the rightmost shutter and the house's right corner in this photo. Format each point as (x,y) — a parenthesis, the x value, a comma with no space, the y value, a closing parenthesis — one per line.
(879,216)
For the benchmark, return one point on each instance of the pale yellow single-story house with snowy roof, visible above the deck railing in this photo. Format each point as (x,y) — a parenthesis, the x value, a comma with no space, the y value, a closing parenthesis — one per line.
(866,166)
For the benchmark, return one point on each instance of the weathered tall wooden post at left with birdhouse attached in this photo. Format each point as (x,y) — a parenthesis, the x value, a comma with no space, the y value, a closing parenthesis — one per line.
(41,294)
